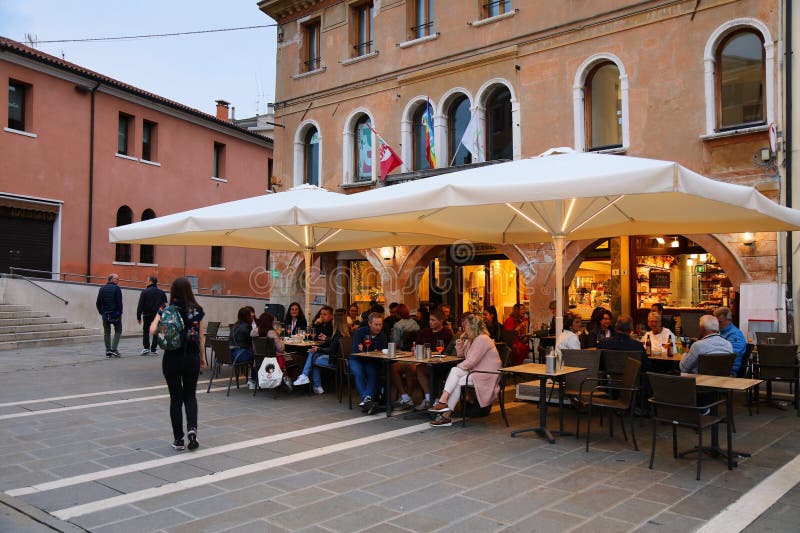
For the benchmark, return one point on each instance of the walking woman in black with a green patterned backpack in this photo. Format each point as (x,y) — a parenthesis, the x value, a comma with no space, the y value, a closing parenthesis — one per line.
(181,365)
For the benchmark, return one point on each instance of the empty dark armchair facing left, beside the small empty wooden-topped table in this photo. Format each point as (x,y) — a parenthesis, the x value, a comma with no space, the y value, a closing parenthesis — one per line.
(625,388)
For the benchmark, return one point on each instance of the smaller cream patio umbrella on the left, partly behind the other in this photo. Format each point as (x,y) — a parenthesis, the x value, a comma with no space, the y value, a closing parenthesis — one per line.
(276,221)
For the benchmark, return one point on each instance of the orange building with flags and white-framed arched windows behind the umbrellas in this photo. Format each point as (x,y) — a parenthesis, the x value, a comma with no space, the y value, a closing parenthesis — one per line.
(697,83)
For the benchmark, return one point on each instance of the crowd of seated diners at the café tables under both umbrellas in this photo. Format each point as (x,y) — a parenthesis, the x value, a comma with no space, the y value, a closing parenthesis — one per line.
(475,342)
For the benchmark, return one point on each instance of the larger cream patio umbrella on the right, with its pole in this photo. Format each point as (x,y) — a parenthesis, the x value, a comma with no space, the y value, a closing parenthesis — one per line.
(563,195)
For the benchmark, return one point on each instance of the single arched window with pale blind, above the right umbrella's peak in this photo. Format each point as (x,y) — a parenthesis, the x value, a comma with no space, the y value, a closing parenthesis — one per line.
(603,101)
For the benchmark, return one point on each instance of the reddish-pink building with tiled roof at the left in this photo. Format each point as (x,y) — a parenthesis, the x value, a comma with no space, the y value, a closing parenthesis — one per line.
(81,152)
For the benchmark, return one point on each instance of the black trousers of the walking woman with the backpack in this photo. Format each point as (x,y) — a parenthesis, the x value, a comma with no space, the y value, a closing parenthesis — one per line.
(181,370)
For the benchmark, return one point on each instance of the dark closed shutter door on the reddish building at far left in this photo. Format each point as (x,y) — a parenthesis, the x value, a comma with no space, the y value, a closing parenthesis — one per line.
(26,243)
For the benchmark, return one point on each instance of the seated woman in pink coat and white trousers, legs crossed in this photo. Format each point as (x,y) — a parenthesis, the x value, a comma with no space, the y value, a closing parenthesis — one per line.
(480,354)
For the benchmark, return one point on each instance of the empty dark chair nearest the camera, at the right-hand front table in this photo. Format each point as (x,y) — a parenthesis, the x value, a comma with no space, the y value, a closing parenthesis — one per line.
(674,402)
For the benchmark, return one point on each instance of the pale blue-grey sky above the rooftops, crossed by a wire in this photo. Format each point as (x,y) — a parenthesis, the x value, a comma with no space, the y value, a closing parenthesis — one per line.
(195,70)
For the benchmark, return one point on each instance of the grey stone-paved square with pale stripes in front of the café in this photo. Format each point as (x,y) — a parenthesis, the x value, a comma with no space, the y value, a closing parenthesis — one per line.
(97,456)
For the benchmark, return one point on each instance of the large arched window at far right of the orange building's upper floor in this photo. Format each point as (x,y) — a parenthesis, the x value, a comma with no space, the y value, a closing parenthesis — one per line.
(741,80)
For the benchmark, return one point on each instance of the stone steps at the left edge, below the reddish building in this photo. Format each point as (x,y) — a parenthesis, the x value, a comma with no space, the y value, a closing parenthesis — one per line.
(21,327)
